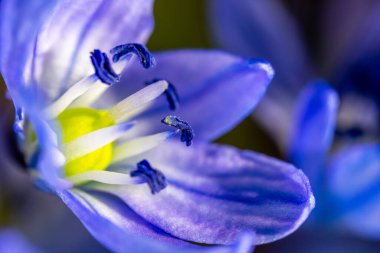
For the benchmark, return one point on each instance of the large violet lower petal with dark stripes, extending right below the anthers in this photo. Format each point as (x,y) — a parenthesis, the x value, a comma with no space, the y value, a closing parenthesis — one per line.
(216,192)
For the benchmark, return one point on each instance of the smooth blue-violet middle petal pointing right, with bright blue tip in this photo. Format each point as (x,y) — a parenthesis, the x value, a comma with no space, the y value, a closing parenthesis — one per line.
(216,90)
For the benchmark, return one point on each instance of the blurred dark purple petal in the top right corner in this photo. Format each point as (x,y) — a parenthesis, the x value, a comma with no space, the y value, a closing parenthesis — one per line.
(355,34)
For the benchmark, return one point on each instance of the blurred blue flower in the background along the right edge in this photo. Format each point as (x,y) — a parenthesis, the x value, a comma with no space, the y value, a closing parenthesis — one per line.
(331,133)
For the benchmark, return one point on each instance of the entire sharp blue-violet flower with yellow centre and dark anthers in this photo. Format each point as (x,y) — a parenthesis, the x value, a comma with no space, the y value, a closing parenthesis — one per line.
(96,135)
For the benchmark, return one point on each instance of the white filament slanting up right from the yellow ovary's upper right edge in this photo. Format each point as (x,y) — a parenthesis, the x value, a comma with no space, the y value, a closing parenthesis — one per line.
(128,107)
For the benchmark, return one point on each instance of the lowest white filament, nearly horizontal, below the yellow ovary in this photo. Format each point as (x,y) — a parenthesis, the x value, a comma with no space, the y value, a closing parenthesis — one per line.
(106,177)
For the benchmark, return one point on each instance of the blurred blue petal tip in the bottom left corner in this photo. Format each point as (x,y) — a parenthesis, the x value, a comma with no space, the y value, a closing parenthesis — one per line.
(12,241)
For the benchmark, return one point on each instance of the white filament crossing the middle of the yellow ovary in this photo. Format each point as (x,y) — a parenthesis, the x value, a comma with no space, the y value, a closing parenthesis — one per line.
(88,143)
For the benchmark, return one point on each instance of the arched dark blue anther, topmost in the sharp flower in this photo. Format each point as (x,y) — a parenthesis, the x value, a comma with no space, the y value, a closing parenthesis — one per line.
(123,51)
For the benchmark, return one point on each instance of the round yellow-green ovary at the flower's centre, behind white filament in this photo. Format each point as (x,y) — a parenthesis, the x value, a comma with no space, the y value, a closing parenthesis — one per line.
(76,122)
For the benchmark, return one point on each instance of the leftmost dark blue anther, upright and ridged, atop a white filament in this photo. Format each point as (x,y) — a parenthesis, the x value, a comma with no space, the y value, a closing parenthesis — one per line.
(103,68)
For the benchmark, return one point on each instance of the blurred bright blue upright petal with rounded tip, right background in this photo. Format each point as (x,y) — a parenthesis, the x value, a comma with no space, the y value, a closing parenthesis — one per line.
(314,128)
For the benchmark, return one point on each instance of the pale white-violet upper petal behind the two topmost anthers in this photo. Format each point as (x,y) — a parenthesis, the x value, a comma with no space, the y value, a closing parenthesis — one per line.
(86,25)
